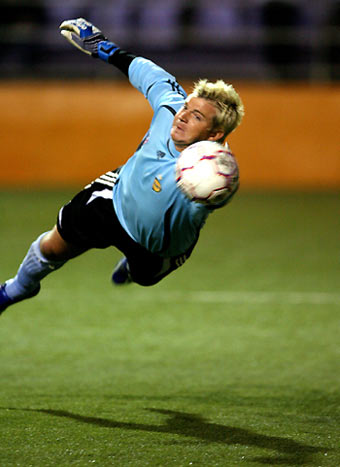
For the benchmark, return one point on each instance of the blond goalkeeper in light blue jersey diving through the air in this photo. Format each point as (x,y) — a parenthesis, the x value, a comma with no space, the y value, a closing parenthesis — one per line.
(154,225)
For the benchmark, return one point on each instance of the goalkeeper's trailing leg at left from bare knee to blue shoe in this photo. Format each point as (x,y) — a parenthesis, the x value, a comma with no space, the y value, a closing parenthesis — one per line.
(46,254)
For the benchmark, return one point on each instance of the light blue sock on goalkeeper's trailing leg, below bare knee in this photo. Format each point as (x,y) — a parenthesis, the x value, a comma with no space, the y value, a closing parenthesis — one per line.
(33,268)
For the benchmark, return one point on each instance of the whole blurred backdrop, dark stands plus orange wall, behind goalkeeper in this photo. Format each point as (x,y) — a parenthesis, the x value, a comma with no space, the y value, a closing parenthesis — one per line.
(61,106)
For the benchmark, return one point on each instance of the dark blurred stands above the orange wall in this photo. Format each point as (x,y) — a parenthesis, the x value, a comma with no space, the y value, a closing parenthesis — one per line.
(243,39)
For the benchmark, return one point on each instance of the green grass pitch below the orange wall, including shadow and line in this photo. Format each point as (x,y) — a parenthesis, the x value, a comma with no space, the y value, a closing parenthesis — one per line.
(233,360)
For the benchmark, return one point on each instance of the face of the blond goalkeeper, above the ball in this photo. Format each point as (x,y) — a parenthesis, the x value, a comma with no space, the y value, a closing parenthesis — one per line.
(193,122)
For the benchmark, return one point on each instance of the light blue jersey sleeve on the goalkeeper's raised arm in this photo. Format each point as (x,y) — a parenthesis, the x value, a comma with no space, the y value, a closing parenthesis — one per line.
(157,85)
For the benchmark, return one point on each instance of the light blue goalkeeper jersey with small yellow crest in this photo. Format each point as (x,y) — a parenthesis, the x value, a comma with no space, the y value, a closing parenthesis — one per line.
(147,201)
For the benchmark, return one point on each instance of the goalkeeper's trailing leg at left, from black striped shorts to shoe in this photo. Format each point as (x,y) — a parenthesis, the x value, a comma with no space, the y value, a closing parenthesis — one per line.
(83,223)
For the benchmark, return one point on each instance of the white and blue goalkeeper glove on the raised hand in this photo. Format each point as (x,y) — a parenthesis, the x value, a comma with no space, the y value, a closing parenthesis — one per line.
(88,38)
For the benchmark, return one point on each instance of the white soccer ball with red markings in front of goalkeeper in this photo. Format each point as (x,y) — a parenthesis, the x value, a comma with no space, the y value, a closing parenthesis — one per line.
(207,172)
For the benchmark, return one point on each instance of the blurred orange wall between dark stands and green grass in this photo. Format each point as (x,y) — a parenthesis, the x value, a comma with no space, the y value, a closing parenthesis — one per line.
(60,133)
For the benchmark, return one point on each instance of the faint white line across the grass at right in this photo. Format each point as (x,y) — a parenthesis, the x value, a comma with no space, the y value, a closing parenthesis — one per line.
(291,298)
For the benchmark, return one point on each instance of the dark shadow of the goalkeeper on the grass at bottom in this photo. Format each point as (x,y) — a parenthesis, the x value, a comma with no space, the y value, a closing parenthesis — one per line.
(288,451)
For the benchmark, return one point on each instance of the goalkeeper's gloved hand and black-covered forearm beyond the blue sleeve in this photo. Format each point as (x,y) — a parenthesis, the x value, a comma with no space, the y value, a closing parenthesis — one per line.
(90,40)
